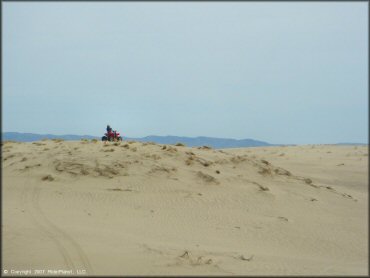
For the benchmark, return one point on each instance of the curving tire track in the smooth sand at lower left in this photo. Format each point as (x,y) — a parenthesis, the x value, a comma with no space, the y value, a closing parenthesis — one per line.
(72,253)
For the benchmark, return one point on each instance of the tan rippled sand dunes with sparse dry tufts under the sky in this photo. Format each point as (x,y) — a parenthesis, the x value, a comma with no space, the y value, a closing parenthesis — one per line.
(135,208)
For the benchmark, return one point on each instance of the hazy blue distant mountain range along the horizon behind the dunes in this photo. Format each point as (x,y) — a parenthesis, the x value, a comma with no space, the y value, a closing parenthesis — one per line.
(217,143)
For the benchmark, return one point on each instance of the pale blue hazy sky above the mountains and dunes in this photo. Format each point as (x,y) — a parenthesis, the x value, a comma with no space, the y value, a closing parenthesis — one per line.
(280,72)
